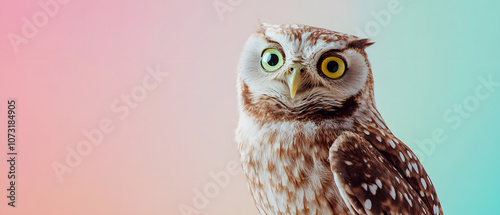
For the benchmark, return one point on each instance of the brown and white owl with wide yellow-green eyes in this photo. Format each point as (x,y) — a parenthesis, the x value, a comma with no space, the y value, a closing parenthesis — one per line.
(310,138)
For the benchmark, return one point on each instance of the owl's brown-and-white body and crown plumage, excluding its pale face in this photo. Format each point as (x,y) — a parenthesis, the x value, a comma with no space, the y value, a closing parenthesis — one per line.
(284,147)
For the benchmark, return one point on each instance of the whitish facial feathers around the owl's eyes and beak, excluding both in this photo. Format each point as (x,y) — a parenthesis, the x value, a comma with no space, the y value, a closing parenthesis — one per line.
(308,53)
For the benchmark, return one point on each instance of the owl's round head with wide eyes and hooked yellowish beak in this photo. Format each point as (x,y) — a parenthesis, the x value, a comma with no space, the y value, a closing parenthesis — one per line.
(294,72)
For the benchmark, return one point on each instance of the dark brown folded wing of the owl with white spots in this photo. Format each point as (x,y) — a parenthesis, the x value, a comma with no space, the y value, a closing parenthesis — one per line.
(369,183)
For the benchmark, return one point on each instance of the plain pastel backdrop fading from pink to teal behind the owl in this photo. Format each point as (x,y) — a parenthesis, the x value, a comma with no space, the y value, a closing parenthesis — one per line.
(427,59)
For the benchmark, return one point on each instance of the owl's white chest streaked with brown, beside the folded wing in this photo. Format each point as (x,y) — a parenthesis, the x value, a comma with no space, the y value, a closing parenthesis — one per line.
(288,173)
